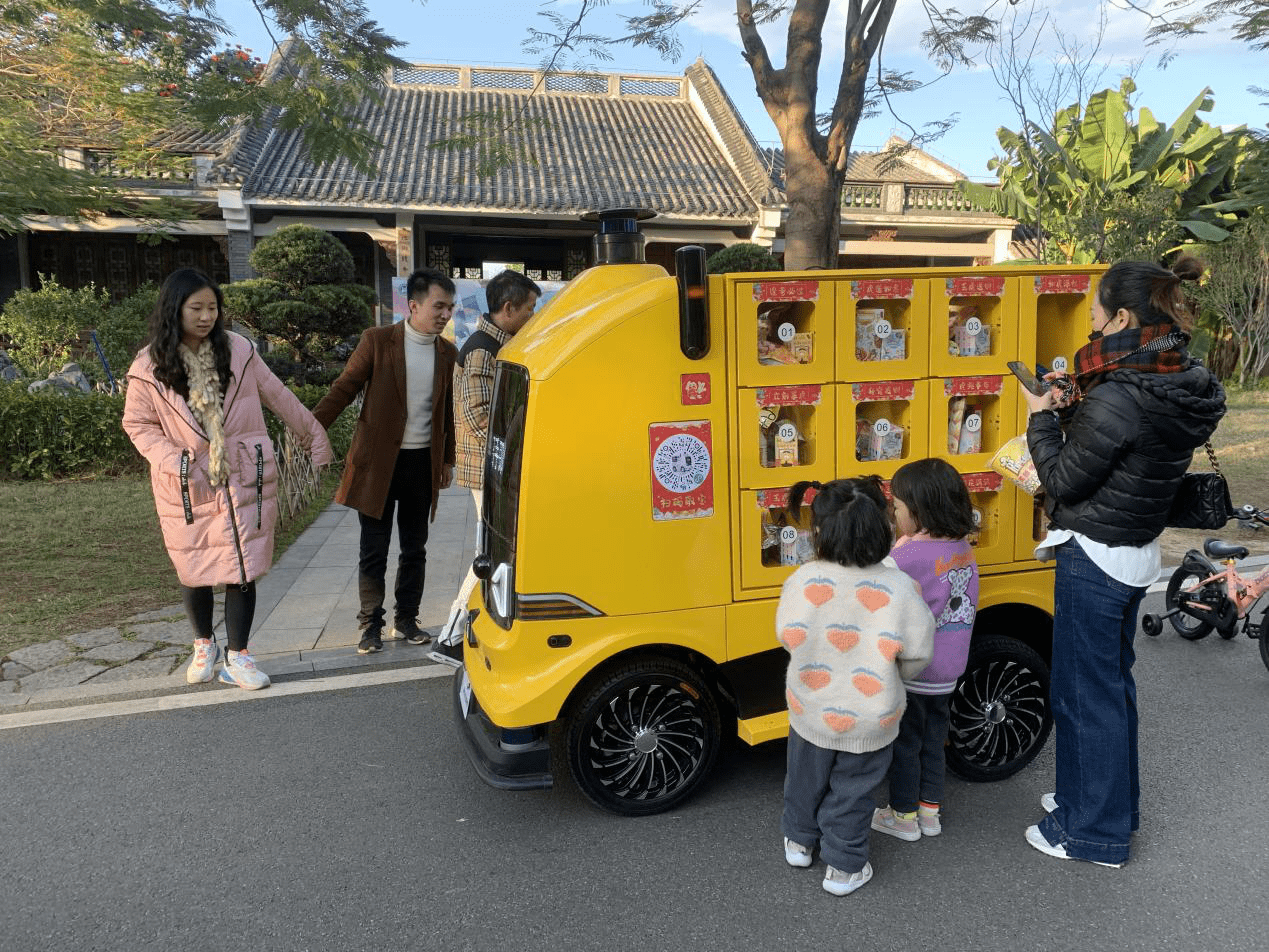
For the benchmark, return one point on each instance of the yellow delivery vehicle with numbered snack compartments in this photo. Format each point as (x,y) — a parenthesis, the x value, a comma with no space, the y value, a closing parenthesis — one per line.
(644,433)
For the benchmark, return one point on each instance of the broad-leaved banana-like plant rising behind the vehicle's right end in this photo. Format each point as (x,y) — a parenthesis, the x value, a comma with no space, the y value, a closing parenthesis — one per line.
(1100,185)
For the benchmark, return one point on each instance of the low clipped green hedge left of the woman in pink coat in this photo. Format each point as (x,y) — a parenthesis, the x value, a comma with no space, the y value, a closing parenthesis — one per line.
(50,436)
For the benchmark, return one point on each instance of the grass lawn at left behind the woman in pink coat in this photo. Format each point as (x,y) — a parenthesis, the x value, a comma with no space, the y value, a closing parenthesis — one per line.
(87,554)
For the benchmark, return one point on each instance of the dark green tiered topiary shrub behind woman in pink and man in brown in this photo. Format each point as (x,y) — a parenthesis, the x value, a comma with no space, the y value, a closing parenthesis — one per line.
(304,299)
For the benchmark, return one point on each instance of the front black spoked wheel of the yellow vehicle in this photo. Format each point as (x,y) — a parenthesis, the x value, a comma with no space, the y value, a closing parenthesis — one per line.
(644,738)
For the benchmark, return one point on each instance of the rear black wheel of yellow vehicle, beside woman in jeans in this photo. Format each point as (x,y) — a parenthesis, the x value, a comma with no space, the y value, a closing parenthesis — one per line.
(1001,717)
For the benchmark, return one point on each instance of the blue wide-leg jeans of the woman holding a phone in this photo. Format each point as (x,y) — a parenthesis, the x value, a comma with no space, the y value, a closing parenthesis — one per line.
(1095,701)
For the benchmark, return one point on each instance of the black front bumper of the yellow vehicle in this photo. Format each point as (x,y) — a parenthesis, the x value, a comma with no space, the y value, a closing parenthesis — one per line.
(526,767)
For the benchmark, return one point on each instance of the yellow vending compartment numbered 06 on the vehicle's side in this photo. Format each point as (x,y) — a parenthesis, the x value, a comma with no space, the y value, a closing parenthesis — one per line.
(870,414)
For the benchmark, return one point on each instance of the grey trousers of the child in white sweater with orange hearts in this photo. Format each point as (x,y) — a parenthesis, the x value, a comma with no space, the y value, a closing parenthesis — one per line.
(829,800)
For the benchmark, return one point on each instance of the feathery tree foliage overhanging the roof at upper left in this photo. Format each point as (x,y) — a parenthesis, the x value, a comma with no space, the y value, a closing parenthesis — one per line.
(120,77)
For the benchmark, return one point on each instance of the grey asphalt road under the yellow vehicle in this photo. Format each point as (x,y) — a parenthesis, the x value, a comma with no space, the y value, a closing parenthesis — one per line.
(351,821)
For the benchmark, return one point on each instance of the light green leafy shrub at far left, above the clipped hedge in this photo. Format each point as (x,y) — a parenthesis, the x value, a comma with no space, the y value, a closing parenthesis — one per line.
(45,326)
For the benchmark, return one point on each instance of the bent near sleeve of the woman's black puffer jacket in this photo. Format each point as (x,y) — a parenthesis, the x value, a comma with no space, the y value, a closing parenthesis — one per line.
(1098,437)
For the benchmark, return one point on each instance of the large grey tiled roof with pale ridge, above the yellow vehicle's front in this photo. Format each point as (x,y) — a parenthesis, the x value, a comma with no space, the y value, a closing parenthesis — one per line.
(598,142)
